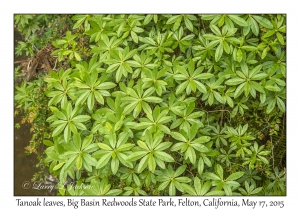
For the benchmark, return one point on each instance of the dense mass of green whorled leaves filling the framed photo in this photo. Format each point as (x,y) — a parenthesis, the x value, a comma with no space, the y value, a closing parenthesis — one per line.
(158,104)
